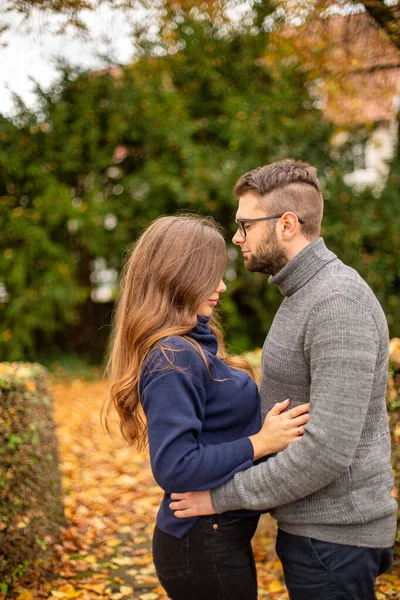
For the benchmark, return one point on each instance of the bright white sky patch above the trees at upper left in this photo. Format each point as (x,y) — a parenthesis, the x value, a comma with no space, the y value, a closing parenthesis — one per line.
(32,54)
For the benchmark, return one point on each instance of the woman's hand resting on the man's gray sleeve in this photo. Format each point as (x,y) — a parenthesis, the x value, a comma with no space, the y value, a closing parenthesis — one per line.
(280,429)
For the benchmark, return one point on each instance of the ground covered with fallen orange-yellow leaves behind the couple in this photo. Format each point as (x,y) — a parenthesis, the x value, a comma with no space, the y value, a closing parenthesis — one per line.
(111,501)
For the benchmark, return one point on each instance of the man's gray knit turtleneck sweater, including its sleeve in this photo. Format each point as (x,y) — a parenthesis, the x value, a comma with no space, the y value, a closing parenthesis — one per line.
(328,345)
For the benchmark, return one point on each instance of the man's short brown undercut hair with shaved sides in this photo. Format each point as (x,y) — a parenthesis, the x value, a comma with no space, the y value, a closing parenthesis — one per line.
(287,186)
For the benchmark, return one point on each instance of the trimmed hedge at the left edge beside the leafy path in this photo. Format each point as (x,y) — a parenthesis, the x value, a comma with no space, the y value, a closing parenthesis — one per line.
(31,509)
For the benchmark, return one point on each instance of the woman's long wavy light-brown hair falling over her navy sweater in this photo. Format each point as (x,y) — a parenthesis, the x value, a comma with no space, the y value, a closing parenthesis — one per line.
(175,265)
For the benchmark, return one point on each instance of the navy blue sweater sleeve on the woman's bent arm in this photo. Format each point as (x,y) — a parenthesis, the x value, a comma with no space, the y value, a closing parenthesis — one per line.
(174,402)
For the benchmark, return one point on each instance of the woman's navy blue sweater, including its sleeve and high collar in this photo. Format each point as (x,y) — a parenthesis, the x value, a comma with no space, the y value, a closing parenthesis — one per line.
(198,427)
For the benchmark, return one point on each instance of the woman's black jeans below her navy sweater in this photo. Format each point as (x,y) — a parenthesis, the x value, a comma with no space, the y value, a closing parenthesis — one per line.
(213,561)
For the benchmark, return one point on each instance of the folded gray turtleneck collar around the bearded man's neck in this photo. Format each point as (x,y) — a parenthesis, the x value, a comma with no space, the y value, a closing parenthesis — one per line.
(302,267)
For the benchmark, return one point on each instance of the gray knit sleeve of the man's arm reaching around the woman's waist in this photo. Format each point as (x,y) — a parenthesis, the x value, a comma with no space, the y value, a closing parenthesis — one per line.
(342,346)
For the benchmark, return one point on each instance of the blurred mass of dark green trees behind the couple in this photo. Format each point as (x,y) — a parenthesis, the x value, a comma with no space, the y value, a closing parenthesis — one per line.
(170,132)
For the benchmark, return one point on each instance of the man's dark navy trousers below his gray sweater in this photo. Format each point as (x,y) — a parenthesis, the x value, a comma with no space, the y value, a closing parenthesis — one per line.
(316,570)
